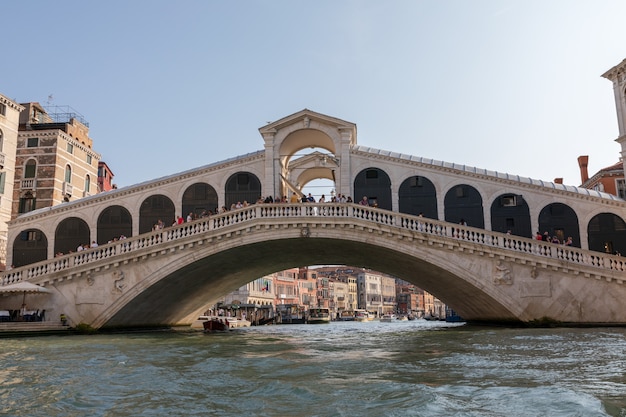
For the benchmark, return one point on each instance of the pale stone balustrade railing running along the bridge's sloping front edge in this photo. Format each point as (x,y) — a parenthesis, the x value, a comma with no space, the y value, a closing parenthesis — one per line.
(316,211)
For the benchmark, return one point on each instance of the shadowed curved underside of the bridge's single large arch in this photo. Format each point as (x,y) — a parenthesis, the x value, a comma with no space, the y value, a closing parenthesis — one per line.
(176,291)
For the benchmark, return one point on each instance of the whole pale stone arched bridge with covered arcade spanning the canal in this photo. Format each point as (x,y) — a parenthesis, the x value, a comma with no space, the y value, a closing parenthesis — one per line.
(411,229)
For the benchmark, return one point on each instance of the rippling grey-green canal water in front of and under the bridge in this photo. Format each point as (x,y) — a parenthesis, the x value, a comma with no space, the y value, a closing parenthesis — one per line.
(414,368)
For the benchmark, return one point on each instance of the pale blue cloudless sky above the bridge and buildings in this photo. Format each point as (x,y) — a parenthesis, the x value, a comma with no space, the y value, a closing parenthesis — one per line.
(166,86)
